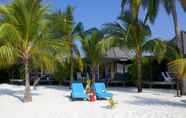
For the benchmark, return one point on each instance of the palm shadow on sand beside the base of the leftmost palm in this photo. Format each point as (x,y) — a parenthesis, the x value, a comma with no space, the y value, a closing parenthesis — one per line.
(14,93)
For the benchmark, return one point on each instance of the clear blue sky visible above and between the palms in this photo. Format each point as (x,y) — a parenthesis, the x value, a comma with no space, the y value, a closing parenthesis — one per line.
(95,13)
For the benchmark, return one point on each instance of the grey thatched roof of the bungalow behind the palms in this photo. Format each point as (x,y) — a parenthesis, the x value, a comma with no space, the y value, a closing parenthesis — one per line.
(117,54)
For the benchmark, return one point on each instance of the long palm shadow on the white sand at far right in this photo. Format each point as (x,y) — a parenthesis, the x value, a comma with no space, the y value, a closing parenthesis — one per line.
(141,101)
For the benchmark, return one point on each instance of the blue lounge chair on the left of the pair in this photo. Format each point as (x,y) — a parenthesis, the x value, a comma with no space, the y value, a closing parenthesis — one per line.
(78,92)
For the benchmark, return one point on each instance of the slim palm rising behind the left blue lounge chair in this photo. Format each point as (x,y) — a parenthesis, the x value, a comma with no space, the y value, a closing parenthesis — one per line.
(63,27)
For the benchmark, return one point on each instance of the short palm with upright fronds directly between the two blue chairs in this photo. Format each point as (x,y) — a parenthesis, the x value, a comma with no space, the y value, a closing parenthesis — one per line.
(93,48)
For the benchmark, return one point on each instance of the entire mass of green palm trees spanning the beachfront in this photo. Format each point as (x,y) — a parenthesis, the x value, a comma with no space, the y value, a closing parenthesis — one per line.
(35,37)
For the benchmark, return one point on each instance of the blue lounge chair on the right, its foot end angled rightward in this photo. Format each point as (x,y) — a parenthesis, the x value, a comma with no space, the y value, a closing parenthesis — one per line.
(101,92)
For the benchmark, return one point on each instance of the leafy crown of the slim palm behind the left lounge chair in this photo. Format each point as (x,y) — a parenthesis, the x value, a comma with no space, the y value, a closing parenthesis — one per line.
(62,24)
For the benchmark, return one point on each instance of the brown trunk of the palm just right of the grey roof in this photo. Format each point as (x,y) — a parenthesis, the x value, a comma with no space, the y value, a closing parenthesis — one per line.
(139,70)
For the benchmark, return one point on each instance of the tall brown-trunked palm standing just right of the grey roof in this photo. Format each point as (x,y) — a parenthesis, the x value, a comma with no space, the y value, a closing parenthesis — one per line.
(132,33)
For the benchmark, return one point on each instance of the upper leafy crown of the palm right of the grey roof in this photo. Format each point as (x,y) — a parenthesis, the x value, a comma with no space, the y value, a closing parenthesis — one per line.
(128,31)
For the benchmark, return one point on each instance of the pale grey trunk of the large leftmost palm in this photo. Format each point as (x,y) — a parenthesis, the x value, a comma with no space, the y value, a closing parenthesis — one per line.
(27,94)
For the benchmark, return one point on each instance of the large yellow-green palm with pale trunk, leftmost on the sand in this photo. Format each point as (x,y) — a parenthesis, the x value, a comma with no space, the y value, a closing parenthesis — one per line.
(24,37)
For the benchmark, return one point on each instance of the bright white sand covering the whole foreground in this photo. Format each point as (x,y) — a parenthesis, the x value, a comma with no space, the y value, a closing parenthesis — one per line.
(54,102)
